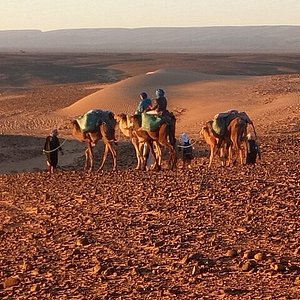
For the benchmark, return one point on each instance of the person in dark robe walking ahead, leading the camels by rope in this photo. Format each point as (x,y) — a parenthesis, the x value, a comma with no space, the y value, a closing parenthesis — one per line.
(51,148)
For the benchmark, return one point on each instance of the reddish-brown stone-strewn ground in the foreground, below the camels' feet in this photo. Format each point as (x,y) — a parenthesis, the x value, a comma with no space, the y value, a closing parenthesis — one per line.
(229,233)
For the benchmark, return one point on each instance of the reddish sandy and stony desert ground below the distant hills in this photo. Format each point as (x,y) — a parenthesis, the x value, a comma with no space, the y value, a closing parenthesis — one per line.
(184,234)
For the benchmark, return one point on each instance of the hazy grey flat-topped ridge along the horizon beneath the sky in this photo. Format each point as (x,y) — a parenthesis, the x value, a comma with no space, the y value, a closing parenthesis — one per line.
(228,39)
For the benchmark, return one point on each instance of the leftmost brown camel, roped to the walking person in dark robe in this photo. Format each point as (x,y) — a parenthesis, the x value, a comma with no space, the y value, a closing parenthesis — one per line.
(106,132)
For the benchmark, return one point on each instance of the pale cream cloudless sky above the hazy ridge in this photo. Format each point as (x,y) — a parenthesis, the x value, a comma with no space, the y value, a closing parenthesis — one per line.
(65,14)
